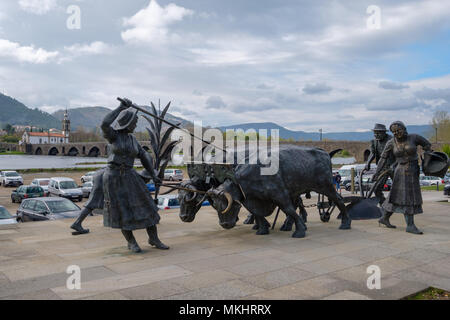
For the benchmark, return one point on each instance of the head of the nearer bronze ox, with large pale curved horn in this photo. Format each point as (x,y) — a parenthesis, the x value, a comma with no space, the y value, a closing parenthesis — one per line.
(226,200)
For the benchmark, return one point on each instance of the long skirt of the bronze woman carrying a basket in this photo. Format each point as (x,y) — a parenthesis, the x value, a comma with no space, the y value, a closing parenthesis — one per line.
(405,195)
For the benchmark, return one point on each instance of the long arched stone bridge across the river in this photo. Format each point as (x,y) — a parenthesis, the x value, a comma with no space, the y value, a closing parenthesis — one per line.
(360,150)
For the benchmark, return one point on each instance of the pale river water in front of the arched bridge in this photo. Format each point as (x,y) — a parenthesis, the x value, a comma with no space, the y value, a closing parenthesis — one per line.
(16,162)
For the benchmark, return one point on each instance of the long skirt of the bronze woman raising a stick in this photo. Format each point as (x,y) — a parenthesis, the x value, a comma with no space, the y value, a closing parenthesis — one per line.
(128,204)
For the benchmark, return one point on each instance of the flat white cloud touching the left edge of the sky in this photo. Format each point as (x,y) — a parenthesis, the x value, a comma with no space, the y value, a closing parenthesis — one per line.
(30,54)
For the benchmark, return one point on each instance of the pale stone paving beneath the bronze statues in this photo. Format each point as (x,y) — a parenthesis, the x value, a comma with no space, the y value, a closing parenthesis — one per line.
(208,262)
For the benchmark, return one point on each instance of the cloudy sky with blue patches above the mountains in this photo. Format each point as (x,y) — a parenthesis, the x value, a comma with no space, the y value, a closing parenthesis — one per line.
(304,64)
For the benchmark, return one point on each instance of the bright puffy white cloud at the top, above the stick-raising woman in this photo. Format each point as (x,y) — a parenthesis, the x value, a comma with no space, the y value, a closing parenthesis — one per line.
(151,24)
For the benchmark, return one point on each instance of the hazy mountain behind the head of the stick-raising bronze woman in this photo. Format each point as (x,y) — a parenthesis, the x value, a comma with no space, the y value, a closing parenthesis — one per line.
(92,117)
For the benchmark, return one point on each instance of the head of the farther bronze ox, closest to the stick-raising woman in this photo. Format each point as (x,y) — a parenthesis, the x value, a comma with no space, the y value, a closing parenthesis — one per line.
(190,202)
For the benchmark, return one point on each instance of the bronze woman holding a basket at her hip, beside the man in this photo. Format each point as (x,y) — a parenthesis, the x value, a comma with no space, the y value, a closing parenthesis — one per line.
(405,196)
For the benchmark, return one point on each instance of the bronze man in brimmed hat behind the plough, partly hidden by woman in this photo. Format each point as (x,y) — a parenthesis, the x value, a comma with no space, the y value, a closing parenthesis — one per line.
(376,149)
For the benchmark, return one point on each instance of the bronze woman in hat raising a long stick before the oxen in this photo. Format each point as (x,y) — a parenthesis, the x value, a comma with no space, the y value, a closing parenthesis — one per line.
(128,203)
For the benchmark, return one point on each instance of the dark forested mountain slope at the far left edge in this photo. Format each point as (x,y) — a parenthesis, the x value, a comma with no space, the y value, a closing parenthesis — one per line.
(16,113)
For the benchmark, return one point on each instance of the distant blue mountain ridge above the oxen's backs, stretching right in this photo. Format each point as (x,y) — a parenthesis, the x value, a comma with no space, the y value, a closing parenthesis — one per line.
(315,136)
